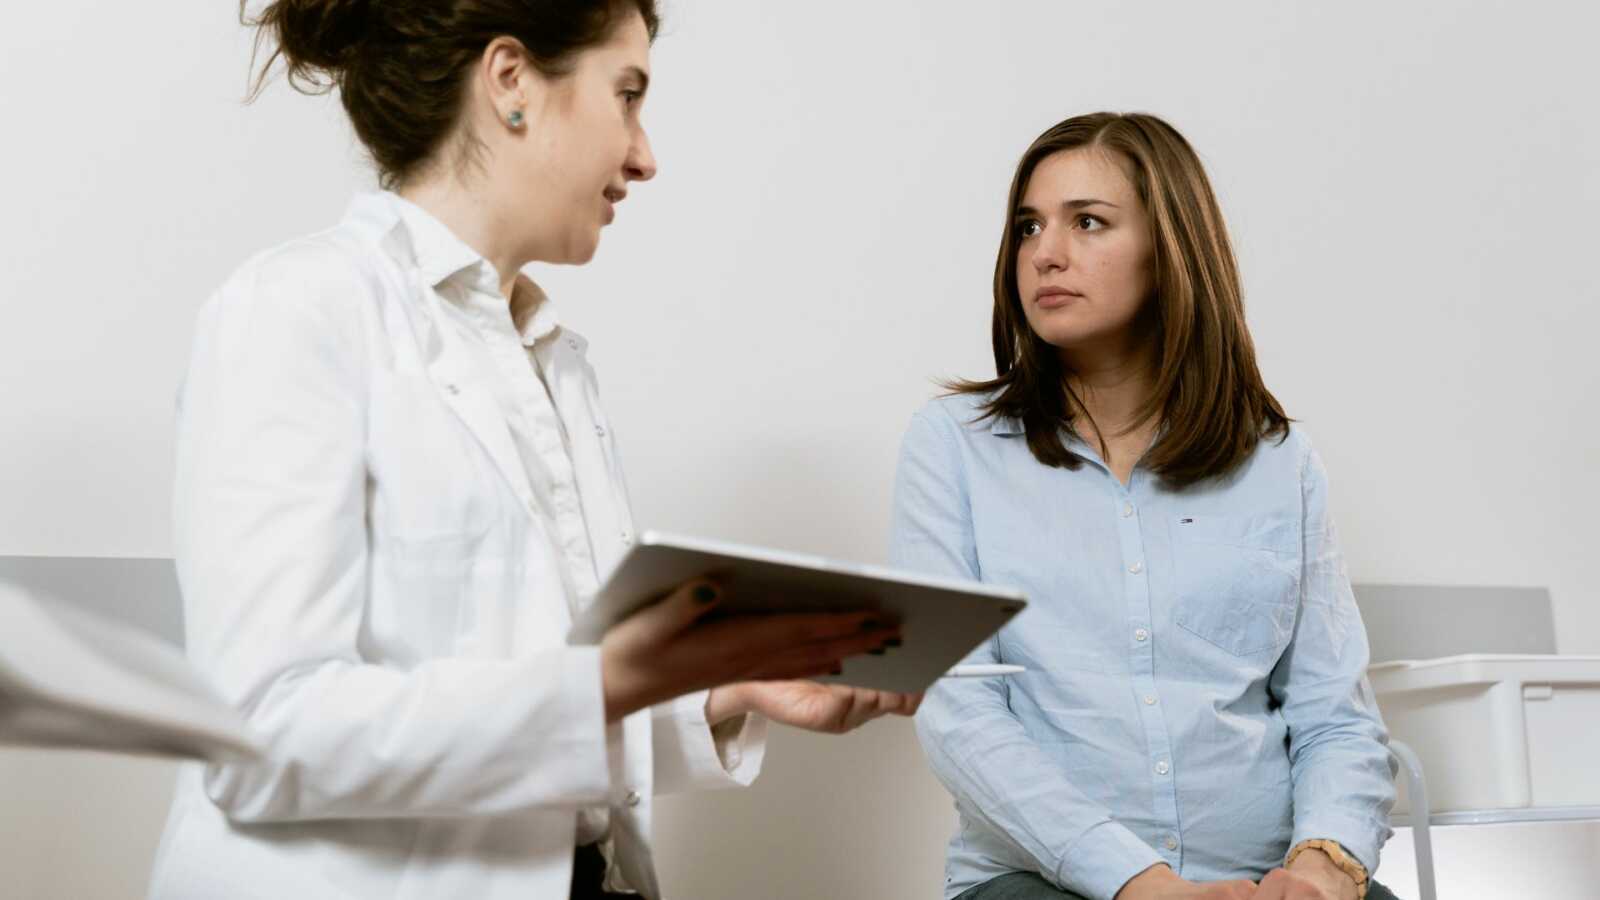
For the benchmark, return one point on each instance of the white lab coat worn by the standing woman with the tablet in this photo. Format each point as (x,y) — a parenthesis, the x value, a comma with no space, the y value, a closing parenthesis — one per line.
(366,576)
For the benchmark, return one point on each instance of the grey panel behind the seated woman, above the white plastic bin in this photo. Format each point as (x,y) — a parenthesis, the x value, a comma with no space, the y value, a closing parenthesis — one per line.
(1425,622)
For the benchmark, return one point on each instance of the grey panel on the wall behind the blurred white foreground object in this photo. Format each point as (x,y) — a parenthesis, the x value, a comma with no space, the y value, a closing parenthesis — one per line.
(138,592)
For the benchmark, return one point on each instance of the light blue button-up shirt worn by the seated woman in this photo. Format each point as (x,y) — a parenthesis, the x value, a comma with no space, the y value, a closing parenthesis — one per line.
(1196,683)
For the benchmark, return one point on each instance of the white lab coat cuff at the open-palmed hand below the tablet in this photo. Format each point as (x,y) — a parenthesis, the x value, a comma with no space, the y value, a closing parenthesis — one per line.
(690,755)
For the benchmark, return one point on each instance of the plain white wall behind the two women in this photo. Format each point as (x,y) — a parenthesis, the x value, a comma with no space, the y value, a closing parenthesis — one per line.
(1412,191)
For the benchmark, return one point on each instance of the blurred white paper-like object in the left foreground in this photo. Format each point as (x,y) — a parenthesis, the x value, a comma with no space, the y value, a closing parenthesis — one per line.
(74,680)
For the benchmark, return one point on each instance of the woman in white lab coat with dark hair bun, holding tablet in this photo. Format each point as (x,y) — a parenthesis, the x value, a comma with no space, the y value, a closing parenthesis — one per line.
(396,486)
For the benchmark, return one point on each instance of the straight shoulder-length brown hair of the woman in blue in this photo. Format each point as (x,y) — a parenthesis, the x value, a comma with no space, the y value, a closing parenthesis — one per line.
(1207,396)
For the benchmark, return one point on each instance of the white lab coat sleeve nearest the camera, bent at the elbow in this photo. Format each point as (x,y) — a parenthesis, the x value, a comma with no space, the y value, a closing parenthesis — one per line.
(273,555)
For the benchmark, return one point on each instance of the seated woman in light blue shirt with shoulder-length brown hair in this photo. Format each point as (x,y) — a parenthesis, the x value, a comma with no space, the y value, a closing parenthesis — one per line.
(1194,720)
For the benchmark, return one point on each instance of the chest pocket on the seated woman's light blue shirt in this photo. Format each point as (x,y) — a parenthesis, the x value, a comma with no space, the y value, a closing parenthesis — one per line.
(1238,581)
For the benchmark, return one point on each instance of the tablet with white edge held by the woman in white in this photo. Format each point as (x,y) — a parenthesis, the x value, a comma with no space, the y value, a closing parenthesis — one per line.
(942,619)
